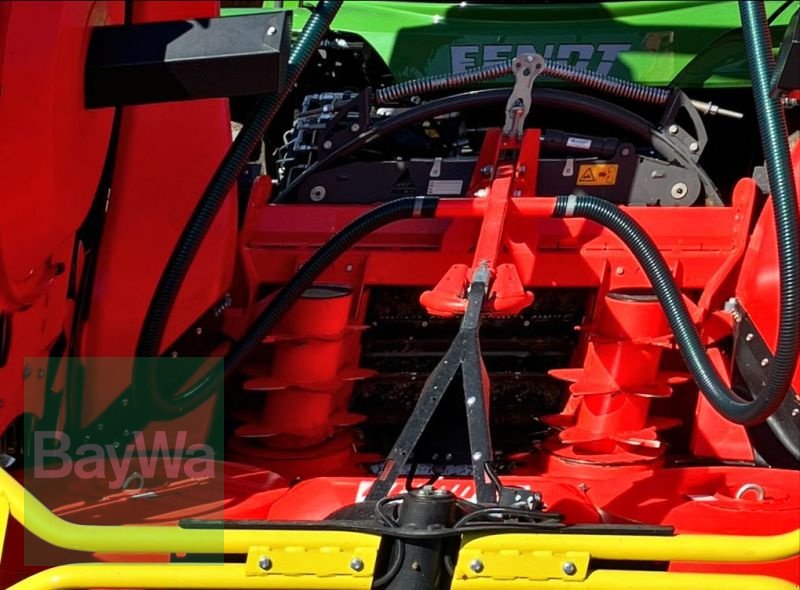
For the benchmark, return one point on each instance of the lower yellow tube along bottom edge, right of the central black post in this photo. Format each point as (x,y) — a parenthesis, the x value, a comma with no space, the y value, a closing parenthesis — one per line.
(626,580)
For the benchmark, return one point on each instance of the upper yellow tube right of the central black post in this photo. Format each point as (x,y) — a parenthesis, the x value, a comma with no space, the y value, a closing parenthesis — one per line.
(706,548)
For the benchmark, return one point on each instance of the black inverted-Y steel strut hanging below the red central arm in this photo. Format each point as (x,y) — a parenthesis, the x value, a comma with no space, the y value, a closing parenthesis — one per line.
(464,357)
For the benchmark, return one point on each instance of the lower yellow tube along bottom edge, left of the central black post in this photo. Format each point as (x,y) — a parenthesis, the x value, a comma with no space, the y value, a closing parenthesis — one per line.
(163,575)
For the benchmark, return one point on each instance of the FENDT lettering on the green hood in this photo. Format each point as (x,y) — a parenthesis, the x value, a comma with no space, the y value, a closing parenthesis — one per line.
(584,56)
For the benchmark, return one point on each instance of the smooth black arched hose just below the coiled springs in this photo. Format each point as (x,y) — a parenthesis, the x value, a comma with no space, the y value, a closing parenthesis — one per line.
(542,97)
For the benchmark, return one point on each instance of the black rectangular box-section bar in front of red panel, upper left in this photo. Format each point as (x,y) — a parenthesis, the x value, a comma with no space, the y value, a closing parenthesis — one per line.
(188,59)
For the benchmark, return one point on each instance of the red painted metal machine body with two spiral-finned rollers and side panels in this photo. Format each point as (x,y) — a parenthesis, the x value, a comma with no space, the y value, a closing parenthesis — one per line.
(608,458)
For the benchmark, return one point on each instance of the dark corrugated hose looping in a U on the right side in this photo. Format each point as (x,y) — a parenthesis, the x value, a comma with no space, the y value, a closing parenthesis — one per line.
(775,141)
